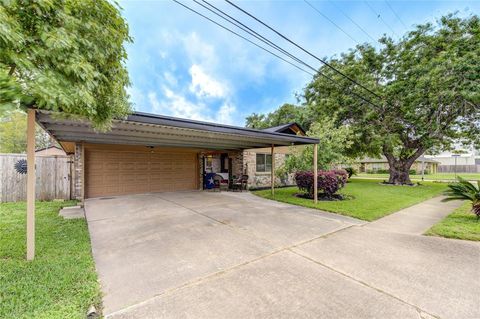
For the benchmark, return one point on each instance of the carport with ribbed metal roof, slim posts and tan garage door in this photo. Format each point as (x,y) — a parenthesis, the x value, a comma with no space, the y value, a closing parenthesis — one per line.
(143,153)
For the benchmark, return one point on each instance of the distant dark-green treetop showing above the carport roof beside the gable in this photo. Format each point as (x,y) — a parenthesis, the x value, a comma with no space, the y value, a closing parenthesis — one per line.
(286,113)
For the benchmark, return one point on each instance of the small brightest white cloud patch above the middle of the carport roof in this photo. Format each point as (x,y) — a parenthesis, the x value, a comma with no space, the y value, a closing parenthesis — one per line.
(205,86)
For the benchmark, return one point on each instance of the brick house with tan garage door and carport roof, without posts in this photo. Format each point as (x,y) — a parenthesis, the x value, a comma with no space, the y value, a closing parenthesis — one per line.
(153,153)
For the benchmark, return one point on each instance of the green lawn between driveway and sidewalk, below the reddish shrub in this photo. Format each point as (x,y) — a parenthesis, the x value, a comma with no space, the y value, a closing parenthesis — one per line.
(370,199)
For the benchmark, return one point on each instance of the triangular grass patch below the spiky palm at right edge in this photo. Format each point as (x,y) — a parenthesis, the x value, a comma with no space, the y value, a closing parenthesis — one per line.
(461,224)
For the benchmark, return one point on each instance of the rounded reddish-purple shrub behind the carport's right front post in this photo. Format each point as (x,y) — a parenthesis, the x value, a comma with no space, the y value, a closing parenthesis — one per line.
(328,182)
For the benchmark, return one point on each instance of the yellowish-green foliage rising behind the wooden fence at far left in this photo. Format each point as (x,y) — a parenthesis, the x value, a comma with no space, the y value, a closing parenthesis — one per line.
(13,133)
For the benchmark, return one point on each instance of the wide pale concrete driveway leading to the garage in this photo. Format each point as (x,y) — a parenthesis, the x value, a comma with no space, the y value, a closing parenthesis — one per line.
(234,255)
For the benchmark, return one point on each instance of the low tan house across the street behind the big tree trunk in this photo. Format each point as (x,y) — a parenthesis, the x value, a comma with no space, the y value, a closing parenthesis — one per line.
(374,165)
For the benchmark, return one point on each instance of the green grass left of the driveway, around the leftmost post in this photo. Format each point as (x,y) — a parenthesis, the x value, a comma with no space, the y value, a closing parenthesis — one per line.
(61,282)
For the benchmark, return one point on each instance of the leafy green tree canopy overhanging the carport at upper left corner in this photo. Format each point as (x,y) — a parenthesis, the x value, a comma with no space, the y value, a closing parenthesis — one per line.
(64,55)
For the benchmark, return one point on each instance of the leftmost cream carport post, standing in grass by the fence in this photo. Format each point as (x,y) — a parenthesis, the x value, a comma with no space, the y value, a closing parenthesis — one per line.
(30,184)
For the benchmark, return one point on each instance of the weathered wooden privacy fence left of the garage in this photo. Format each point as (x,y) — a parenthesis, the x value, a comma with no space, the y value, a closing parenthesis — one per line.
(53,178)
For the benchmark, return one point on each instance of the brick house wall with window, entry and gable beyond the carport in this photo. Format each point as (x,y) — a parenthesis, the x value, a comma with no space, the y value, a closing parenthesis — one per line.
(258,162)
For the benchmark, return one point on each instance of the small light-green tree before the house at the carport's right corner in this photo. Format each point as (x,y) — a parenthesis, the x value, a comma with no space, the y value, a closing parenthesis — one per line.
(333,143)
